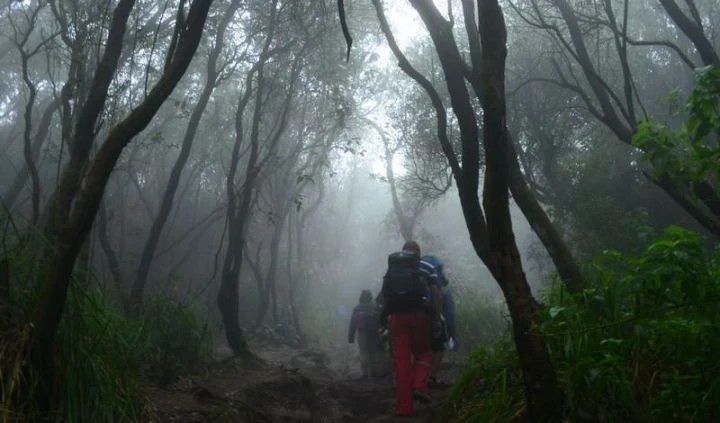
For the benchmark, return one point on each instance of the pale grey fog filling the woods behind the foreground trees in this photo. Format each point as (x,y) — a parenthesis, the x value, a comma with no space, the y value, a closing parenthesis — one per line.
(287,168)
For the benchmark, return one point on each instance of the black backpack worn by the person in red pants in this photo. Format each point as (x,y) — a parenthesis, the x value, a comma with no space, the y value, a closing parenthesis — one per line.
(404,287)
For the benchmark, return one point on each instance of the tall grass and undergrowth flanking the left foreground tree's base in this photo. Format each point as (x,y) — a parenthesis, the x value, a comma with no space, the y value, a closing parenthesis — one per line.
(101,354)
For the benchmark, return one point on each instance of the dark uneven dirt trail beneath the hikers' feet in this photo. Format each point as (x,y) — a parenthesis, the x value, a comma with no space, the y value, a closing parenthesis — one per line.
(284,384)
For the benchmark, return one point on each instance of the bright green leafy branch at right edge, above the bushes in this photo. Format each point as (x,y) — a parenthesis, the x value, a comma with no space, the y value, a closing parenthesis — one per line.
(691,152)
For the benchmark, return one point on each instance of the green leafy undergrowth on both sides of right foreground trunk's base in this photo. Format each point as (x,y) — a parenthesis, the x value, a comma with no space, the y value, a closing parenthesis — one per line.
(639,344)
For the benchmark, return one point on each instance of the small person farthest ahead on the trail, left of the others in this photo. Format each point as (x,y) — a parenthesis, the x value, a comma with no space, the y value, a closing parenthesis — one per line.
(365,320)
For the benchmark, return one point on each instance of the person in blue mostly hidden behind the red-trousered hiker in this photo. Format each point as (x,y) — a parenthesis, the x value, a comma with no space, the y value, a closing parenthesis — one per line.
(446,339)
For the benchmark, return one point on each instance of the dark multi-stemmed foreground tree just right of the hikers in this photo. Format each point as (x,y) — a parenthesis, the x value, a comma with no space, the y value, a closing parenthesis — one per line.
(490,230)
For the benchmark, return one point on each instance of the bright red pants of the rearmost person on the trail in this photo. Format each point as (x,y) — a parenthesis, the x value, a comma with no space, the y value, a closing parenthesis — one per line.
(410,335)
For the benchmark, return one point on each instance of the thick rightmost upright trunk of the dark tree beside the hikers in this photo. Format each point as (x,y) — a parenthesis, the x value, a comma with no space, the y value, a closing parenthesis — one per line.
(544,399)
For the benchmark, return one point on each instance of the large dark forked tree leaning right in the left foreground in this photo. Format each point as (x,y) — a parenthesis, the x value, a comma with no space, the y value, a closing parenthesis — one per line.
(75,203)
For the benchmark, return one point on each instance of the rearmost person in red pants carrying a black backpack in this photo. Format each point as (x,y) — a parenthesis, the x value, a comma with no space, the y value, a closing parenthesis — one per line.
(411,300)
